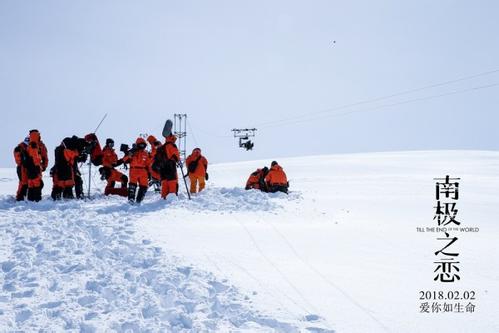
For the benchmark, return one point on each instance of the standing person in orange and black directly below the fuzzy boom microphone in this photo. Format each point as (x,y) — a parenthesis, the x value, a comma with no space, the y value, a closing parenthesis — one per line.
(165,163)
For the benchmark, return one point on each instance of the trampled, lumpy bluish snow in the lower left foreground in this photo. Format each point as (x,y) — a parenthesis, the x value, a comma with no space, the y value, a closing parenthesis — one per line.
(70,266)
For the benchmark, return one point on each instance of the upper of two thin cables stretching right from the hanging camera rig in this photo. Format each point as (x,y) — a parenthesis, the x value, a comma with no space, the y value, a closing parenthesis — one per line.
(377,99)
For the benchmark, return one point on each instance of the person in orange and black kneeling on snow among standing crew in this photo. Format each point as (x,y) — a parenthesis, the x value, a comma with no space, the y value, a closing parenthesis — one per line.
(109,173)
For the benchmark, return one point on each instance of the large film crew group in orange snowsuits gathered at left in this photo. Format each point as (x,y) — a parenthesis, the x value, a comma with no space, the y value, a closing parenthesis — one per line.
(159,166)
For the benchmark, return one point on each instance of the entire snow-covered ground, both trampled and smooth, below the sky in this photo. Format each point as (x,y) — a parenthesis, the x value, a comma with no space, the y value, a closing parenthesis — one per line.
(341,252)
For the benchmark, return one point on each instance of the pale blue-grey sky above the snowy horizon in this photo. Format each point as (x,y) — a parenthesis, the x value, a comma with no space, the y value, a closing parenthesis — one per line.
(64,64)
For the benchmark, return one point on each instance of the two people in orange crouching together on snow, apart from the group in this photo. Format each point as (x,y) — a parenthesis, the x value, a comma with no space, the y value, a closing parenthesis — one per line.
(269,180)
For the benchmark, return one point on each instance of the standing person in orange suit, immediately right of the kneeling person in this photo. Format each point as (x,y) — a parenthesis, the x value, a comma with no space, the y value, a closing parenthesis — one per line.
(139,161)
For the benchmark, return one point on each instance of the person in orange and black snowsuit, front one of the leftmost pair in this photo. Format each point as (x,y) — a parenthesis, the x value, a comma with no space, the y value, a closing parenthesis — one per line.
(35,163)
